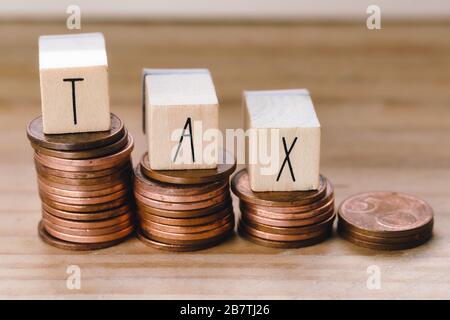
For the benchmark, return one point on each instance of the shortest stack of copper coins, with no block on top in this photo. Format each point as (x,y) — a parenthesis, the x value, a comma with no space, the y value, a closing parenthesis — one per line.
(385,220)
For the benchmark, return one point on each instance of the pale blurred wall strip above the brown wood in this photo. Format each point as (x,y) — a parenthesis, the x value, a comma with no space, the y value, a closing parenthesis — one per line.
(225,9)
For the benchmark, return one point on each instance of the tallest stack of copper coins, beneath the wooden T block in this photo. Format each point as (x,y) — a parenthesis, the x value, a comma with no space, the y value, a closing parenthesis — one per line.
(84,182)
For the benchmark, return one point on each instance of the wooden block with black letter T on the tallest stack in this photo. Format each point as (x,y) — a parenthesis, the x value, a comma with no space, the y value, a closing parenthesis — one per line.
(74,83)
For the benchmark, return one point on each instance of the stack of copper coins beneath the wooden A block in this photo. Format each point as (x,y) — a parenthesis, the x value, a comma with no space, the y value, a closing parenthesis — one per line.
(184,210)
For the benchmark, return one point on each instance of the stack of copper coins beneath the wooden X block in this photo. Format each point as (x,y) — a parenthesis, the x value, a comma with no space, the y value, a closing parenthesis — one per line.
(284,219)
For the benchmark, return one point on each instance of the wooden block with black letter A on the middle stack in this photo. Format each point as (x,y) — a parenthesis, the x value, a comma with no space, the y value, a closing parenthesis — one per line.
(180,107)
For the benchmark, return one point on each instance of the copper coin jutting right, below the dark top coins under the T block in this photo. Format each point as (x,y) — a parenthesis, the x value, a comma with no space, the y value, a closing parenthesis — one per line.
(87,164)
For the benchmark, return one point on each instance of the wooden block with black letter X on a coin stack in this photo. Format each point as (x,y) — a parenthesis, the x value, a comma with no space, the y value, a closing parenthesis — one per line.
(289,122)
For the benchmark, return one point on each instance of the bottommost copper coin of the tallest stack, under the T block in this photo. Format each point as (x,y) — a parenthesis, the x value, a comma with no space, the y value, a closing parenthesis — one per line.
(65,245)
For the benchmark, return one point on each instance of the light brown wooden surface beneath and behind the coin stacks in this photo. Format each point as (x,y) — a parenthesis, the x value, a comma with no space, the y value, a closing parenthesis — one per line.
(383,100)
